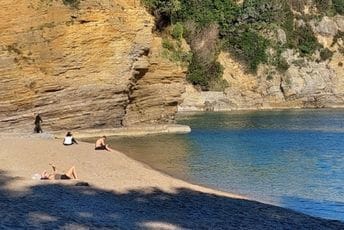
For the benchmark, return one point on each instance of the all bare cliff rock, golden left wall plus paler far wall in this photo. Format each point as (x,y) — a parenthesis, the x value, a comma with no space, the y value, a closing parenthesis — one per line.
(99,64)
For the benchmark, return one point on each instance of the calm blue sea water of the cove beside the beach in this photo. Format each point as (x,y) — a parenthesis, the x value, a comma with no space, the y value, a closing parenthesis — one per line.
(293,159)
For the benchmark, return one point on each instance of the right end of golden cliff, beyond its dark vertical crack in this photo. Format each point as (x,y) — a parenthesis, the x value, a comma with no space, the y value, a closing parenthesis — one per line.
(154,97)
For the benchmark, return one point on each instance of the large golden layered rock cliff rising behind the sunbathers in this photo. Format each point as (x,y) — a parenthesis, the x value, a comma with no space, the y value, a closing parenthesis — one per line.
(95,64)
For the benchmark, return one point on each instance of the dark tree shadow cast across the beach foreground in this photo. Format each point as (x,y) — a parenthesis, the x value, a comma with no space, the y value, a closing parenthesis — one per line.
(60,205)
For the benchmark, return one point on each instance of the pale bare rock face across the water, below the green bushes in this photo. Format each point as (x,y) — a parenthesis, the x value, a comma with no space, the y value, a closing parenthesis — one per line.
(305,84)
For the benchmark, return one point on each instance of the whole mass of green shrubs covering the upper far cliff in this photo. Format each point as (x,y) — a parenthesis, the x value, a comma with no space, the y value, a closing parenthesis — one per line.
(247,30)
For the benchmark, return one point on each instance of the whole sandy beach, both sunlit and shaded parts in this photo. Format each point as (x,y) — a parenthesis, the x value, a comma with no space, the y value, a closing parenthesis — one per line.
(122,194)
